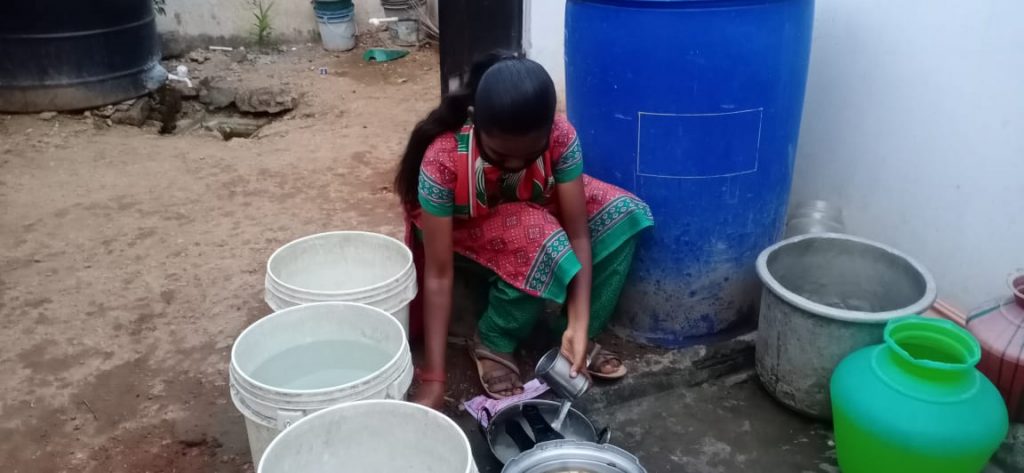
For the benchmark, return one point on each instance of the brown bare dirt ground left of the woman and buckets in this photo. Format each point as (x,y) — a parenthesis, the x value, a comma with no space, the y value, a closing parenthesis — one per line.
(132,261)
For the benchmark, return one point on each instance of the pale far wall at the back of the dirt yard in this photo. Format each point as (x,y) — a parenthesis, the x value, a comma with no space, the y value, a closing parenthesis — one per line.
(292,20)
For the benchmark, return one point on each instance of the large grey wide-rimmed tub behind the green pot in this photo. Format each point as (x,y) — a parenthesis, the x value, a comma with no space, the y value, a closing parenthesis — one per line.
(827,295)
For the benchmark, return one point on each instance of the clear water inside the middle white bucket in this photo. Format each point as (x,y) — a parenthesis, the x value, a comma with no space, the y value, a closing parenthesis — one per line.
(321,365)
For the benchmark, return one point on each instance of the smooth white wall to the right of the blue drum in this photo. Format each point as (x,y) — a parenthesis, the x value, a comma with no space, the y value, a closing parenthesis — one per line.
(914,122)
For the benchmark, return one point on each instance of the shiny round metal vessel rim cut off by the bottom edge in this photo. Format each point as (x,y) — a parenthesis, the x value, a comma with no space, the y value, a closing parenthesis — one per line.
(574,457)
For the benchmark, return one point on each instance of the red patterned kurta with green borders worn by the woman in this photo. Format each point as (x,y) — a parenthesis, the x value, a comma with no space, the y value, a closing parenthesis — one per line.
(508,223)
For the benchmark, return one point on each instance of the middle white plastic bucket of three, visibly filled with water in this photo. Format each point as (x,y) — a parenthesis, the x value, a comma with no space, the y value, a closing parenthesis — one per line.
(303,360)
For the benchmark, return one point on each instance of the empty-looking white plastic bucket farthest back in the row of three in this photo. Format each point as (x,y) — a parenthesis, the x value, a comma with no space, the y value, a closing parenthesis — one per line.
(348,267)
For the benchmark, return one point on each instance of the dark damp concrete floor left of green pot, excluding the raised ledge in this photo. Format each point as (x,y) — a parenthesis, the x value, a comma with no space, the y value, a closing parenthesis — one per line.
(728,425)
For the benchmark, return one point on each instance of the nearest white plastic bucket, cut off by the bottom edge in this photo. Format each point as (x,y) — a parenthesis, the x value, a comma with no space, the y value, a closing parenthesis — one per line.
(371,437)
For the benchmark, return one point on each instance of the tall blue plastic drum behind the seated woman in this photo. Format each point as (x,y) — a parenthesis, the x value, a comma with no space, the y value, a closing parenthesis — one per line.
(695,106)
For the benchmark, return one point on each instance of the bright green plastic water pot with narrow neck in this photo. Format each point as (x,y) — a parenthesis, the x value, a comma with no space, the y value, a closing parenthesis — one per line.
(917,404)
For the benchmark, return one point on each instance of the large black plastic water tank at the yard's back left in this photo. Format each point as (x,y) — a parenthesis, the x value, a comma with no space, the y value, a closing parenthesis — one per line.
(74,55)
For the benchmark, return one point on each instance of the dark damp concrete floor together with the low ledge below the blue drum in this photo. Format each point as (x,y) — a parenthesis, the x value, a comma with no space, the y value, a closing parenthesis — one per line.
(703,416)
